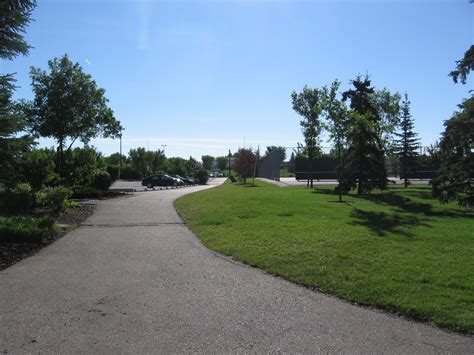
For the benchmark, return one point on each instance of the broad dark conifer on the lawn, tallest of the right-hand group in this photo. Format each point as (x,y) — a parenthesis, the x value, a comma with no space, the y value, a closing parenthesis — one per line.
(364,163)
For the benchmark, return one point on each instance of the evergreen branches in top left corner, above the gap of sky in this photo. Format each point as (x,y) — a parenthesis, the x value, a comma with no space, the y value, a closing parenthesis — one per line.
(15,15)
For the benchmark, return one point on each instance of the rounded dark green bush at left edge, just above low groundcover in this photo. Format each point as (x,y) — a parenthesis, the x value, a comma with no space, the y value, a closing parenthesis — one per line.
(17,201)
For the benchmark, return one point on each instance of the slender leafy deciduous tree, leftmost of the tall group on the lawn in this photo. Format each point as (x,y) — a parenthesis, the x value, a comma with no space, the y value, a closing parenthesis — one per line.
(309,104)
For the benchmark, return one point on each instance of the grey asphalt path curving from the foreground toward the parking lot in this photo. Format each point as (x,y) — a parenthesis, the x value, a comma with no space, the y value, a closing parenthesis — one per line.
(134,279)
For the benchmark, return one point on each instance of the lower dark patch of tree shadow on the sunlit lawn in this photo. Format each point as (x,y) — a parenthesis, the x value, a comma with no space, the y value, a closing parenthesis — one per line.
(381,223)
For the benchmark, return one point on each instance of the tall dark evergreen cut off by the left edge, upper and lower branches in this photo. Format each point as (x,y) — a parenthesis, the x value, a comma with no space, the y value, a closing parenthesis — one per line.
(14,17)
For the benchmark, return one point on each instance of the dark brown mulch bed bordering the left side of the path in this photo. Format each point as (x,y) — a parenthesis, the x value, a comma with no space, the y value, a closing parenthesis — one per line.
(11,253)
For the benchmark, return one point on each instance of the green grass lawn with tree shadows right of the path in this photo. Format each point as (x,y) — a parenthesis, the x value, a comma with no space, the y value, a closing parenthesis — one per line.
(399,250)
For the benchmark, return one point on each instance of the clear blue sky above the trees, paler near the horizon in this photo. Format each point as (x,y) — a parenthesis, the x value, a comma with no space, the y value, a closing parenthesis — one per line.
(203,77)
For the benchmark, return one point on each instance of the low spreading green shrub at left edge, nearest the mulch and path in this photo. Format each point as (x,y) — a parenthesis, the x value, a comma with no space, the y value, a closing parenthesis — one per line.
(27,229)
